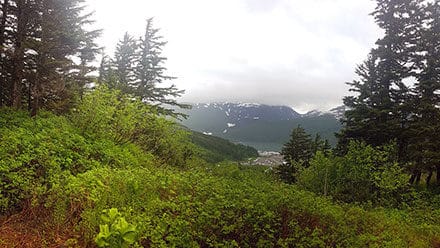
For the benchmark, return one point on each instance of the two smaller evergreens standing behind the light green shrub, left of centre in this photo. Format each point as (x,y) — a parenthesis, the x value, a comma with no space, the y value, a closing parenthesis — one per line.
(137,68)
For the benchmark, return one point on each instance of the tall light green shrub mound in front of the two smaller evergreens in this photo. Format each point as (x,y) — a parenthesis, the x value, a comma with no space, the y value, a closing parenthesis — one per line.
(108,114)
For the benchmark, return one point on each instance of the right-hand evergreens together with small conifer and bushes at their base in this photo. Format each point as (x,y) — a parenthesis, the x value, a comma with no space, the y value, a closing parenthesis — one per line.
(390,135)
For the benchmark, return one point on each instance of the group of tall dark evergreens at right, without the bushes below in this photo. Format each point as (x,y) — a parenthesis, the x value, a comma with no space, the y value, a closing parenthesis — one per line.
(398,91)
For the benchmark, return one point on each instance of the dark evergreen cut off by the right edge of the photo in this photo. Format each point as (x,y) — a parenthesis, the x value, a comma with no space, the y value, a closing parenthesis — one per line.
(425,123)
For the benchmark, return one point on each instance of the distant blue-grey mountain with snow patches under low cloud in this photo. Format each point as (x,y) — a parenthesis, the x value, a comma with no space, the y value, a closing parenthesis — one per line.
(264,127)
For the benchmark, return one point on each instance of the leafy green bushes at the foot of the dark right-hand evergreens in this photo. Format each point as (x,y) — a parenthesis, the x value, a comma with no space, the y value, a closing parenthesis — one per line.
(363,174)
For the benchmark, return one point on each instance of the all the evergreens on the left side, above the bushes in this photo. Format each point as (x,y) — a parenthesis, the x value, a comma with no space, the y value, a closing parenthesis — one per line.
(47,51)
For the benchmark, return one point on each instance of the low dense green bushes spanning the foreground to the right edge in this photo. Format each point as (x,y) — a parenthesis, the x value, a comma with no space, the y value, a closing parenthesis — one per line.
(227,206)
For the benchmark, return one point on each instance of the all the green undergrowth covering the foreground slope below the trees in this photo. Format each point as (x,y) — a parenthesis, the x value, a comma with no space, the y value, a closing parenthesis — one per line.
(81,181)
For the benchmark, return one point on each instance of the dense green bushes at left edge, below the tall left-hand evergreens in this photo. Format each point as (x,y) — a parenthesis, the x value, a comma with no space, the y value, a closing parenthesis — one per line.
(35,151)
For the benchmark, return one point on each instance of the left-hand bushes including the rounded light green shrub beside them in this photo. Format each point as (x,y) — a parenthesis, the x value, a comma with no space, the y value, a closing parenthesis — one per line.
(106,129)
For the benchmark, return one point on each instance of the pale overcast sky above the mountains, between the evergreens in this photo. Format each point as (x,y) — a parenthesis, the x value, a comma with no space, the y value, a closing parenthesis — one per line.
(297,53)
